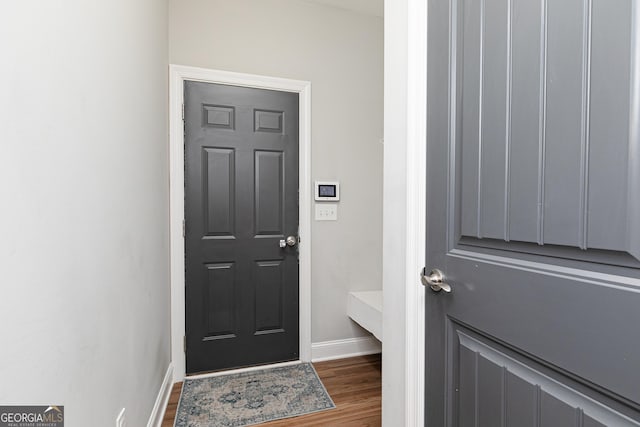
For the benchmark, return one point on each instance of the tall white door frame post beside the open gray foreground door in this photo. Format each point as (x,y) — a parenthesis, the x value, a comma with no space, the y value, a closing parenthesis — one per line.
(403,354)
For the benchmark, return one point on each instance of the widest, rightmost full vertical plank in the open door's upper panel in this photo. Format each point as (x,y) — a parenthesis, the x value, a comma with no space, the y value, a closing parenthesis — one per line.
(611,116)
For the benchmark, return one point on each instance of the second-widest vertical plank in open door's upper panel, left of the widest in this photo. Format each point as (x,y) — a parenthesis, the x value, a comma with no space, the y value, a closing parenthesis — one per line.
(564,141)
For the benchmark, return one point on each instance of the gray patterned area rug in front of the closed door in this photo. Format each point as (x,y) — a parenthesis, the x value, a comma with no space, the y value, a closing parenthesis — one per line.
(252,397)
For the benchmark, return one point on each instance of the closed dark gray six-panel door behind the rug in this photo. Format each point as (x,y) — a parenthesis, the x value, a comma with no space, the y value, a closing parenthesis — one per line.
(241,201)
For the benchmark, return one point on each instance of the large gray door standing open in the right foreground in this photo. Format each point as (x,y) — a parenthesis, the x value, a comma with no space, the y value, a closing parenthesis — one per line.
(533,213)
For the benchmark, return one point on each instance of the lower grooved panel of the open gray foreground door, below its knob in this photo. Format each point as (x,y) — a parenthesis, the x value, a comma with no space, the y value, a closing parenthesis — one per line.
(497,387)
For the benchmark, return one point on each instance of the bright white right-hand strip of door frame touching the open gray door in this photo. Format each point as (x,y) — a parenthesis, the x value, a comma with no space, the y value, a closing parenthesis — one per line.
(416,211)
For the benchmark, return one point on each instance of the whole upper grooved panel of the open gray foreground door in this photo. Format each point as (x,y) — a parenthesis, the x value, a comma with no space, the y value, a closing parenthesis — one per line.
(546,128)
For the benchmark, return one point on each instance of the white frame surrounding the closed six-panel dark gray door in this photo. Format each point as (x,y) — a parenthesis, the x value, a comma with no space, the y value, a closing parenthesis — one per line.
(177,76)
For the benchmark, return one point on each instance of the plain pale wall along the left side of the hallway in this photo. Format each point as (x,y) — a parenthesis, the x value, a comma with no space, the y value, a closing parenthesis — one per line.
(84,309)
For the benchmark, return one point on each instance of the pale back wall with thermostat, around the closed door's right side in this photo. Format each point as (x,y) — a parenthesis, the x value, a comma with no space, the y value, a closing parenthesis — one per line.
(340,52)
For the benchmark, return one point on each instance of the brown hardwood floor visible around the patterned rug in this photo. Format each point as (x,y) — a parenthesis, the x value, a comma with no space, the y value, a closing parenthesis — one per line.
(354,384)
